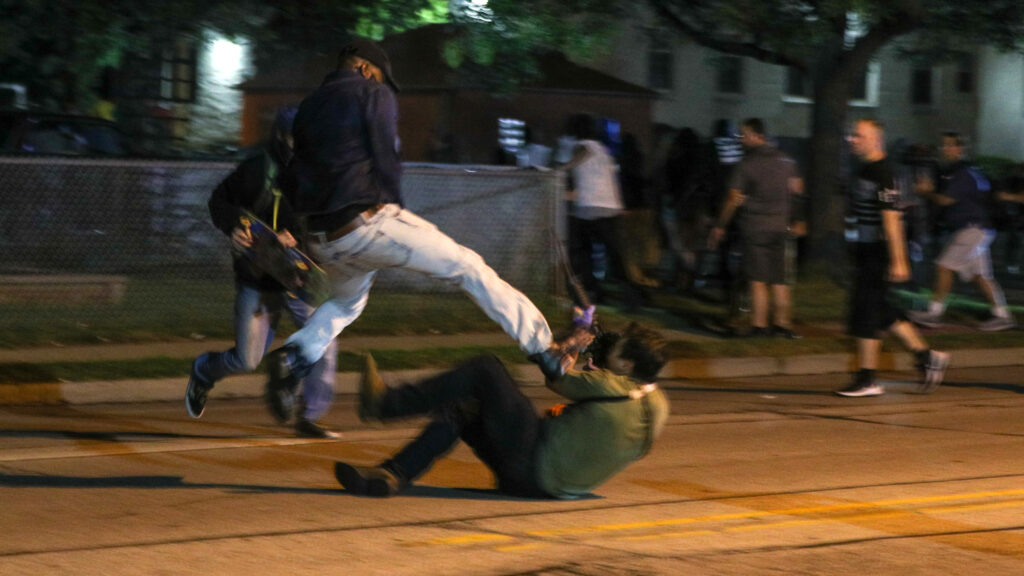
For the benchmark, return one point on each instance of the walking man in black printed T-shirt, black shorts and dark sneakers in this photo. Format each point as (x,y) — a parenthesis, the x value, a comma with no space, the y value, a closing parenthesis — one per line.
(881,260)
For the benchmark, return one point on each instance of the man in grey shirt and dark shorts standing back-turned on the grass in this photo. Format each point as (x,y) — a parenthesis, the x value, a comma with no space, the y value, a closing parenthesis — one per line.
(763,184)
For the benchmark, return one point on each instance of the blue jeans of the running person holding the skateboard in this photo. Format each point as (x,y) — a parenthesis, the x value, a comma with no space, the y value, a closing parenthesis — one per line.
(257,317)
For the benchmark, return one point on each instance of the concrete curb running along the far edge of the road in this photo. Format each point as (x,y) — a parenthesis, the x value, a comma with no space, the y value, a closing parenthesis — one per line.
(251,386)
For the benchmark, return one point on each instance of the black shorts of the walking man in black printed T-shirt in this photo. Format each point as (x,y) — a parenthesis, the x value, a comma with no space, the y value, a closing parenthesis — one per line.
(871,310)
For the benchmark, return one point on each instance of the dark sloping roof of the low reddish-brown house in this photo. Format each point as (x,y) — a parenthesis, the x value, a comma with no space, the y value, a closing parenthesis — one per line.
(417,65)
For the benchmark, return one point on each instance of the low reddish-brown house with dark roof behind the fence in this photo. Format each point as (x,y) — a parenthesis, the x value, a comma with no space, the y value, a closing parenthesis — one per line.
(446,118)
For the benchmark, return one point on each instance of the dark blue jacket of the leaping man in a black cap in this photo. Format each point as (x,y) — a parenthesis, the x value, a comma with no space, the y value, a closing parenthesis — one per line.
(347,142)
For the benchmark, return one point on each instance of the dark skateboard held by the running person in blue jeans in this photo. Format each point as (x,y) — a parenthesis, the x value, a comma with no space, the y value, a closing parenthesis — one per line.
(292,268)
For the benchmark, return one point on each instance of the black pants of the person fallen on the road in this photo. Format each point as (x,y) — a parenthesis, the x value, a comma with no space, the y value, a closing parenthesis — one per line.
(480,403)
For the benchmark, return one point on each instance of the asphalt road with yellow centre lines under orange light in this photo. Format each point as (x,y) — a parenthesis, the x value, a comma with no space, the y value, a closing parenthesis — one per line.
(760,476)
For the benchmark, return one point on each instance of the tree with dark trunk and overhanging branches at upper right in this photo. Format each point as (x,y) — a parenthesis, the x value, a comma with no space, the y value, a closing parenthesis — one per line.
(833,42)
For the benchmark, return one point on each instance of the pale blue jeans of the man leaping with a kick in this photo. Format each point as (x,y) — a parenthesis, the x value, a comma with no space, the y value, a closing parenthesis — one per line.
(399,239)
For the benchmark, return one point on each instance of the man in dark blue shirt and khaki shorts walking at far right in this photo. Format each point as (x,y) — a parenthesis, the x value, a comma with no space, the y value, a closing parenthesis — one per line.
(963,197)
